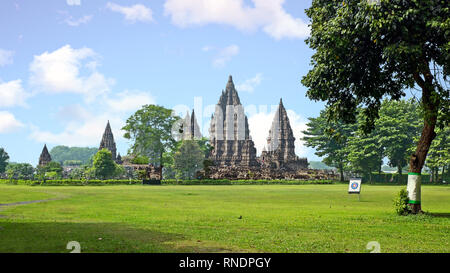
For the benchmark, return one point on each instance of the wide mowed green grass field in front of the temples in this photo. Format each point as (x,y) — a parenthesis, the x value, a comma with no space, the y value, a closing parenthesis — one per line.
(269,218)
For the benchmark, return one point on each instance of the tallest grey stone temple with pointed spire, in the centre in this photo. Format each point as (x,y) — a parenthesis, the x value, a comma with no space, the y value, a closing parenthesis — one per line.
(229,132)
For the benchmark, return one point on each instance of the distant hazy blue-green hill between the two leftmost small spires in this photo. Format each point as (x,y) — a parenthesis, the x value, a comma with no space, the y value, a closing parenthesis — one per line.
(65,155)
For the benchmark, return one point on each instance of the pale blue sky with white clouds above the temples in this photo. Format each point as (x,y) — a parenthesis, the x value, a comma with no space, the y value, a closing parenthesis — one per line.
(68,66)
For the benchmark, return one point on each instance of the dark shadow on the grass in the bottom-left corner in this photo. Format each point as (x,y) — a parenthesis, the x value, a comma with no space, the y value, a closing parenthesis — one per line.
(52,237)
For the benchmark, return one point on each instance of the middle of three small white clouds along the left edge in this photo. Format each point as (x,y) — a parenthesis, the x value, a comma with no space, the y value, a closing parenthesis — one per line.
(12,94)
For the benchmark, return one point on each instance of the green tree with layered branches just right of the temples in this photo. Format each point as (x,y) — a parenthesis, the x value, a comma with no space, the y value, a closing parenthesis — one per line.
(329,138)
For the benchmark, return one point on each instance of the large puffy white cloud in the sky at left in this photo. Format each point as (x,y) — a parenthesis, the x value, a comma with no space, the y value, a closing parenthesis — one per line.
(61,71)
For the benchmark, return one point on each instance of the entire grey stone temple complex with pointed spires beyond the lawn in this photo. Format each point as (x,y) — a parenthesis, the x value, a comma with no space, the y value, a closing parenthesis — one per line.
(233,154)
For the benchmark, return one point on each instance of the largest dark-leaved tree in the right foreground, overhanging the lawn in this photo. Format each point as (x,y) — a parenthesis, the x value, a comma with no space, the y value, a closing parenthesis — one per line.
(365,52)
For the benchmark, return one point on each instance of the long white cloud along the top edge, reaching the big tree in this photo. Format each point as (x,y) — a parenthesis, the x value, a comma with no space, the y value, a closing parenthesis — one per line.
(266,14)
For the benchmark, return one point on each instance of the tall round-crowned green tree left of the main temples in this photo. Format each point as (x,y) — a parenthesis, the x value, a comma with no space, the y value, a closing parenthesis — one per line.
(150,130)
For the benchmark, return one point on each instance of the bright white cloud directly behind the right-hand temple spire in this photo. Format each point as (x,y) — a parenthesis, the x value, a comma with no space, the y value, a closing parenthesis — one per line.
(260,123)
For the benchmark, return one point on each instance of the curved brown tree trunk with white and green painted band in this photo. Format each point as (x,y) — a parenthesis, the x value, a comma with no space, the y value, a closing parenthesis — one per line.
(430,103)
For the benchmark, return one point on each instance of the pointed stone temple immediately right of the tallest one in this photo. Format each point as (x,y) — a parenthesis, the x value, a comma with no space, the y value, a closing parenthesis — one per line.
(280,153)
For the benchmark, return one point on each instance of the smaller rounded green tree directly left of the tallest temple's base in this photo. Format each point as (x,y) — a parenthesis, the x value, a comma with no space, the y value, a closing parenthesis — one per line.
(188,159)
